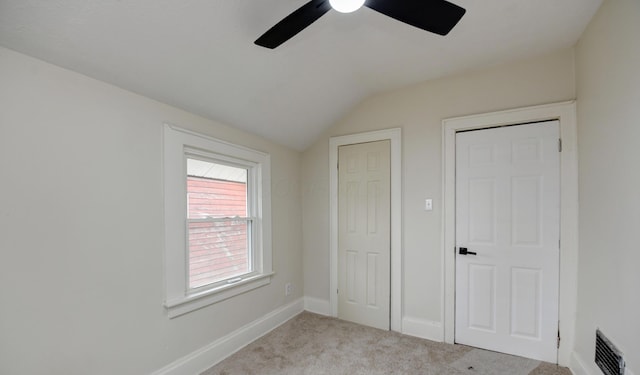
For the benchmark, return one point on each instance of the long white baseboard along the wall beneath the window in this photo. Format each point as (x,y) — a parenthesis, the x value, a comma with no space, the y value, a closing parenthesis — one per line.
(209,355)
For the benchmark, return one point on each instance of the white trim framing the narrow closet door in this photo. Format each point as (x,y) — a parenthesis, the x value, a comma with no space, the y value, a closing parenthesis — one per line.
(394,136)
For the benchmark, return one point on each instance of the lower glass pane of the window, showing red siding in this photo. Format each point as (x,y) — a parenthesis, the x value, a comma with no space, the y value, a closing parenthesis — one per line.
(217,251)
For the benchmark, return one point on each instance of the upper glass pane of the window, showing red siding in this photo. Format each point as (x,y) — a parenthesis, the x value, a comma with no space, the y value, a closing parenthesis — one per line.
(215,190)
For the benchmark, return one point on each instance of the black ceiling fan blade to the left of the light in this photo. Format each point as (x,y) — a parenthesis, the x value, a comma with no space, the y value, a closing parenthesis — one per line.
(293,23)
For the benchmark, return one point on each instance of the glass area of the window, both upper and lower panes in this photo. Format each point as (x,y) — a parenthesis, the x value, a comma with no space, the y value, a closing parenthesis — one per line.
(218,222)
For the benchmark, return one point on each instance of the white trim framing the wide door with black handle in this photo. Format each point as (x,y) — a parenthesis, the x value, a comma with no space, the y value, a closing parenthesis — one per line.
(564,112)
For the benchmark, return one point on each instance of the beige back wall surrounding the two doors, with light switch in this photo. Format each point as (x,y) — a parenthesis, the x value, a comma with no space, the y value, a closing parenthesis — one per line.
(419,111)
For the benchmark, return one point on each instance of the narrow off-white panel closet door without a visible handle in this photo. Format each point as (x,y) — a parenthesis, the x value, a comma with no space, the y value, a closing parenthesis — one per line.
(364,247)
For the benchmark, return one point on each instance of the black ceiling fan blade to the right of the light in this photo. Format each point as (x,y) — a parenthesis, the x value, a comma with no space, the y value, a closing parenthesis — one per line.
(436,16)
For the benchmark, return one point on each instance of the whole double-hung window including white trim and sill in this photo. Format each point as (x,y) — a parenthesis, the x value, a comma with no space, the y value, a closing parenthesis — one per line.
(217,220)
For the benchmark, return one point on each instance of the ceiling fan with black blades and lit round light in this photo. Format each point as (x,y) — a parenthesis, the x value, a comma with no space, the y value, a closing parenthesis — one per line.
(436,16)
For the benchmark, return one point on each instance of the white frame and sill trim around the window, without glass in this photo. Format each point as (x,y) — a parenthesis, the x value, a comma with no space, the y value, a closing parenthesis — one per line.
(178,299)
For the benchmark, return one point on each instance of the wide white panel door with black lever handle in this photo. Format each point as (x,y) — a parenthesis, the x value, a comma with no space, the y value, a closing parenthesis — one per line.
(507,213)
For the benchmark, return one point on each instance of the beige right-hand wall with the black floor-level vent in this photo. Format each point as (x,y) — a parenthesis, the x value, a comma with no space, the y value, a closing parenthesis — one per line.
(608,76)
